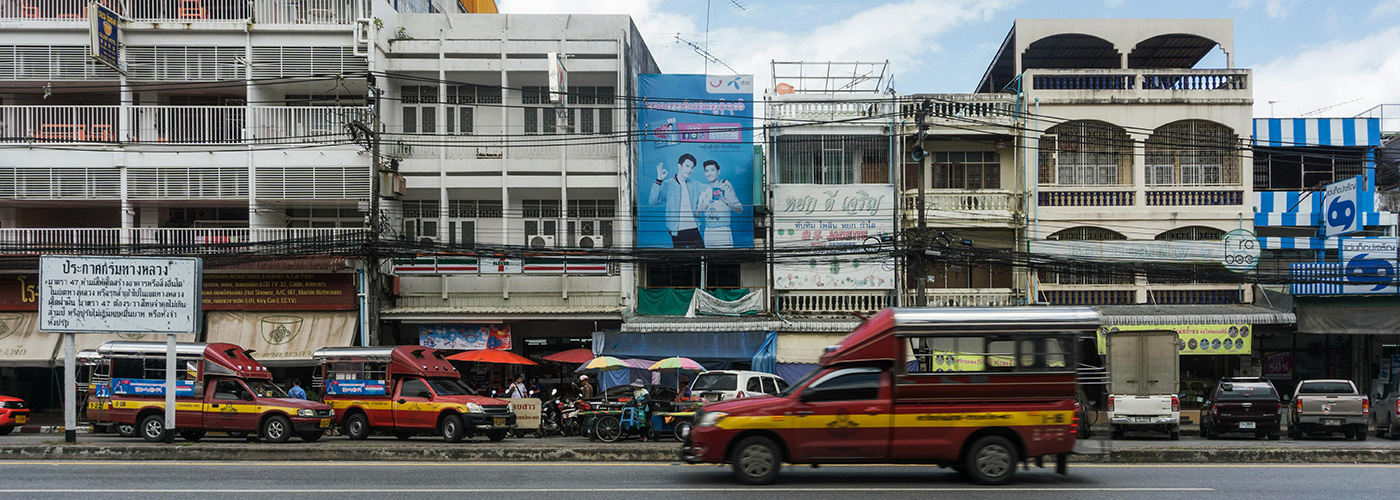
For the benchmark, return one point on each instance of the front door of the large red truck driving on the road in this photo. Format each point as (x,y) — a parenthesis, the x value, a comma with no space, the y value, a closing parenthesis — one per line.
(843,417)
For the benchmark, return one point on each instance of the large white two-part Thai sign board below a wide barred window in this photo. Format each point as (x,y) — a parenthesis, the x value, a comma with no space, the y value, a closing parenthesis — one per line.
(834,218)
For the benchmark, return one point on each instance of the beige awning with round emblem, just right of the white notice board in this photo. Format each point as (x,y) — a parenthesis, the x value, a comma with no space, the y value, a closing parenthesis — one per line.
(282,338)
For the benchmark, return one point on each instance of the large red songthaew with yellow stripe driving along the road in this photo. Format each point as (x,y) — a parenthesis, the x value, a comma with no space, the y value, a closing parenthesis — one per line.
(976,390)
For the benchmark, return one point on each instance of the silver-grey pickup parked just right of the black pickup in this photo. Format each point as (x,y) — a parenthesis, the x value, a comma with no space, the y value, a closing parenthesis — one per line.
(1326,407)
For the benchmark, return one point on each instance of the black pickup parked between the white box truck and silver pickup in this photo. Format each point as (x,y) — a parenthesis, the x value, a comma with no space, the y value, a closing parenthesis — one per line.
(1241,405)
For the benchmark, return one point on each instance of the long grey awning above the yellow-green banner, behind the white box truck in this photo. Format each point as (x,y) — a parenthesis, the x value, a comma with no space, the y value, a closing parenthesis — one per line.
(1193,316)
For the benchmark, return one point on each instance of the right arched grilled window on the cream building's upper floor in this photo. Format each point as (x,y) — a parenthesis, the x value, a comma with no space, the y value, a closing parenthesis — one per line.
(1192,153)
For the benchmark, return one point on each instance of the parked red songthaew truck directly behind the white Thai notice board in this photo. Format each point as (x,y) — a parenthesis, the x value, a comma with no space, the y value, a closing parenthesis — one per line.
(219,389)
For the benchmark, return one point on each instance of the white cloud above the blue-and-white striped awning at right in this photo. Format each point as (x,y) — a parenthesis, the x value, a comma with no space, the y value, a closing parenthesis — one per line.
(1331,76)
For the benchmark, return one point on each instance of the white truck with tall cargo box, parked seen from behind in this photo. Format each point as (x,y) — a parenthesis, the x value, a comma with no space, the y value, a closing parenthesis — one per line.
(1144,369)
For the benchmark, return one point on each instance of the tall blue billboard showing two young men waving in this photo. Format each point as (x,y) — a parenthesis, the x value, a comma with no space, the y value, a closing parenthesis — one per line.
(695,169)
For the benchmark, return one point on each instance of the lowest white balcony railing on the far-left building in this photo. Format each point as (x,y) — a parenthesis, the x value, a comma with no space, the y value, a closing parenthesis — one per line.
(142,240)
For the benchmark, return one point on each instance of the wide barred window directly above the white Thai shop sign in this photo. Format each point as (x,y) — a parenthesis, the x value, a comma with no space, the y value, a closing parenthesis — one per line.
(810,159)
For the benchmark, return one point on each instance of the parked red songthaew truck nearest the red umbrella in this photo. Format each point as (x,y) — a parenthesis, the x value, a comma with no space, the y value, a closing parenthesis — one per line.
(408,391)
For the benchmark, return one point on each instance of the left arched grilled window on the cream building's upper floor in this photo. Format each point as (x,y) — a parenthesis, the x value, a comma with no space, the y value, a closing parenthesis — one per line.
(1086,153)
